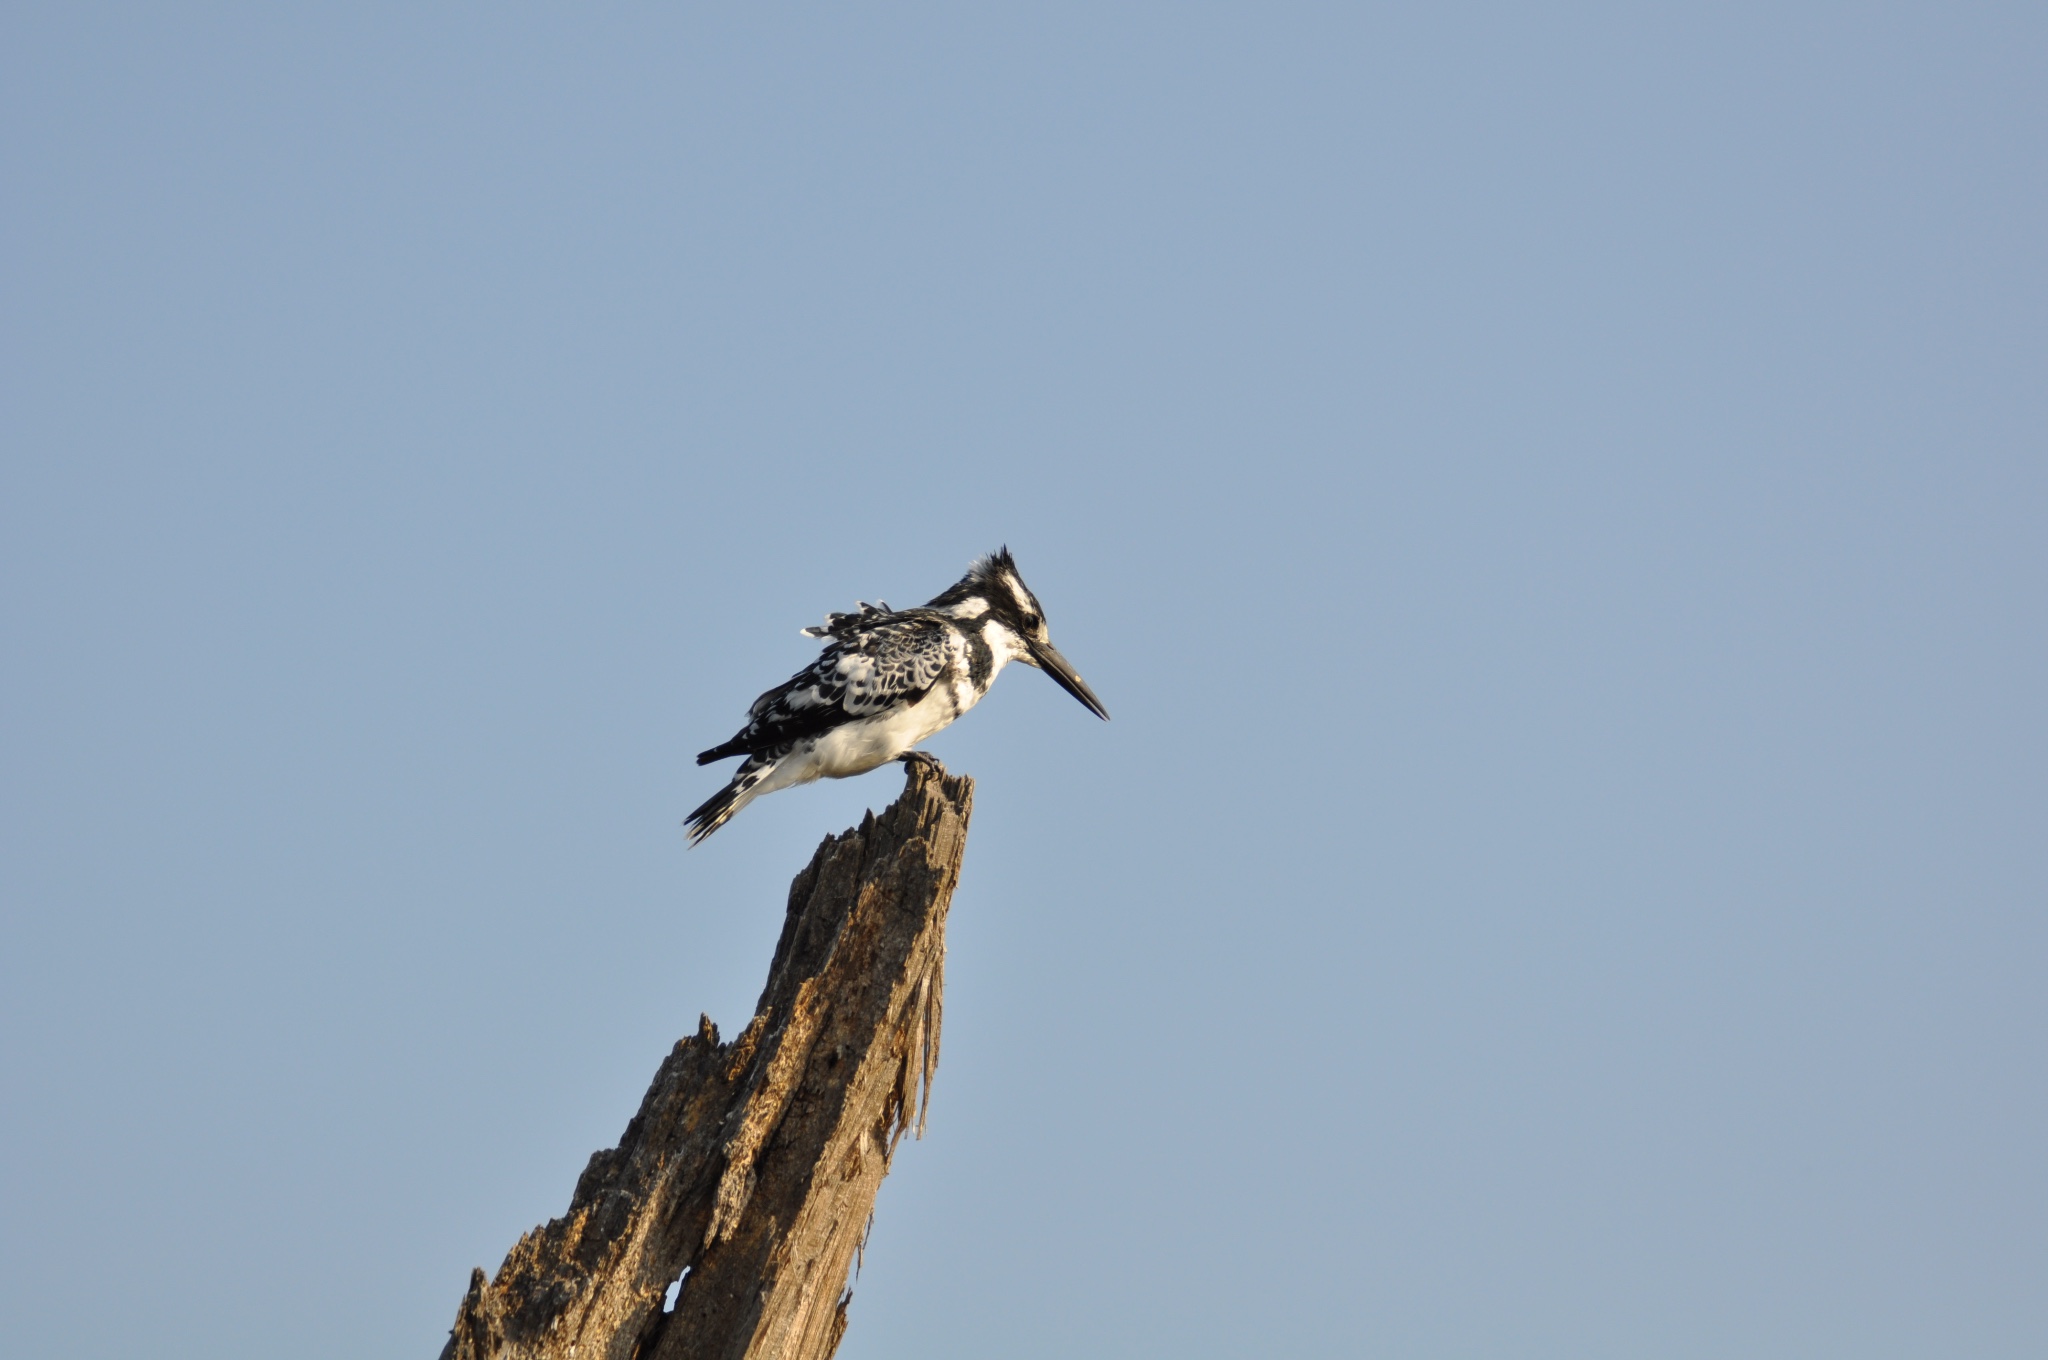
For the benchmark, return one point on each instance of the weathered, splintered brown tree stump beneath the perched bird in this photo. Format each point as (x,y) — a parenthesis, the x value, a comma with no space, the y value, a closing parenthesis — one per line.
(753,1166)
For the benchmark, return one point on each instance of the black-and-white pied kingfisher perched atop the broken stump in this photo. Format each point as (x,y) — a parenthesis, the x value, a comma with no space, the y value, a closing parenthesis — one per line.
(886,683)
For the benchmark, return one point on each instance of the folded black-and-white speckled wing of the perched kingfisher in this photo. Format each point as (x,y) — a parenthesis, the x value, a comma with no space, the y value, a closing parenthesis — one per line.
(876,661)
